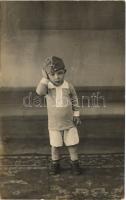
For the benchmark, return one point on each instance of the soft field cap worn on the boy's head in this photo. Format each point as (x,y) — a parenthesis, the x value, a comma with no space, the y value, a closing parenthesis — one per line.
(53,64)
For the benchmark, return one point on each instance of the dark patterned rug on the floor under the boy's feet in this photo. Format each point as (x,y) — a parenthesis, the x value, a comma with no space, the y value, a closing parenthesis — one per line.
(27,177)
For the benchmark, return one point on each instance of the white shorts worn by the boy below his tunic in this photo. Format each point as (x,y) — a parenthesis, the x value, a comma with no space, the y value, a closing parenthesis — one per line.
(67,136)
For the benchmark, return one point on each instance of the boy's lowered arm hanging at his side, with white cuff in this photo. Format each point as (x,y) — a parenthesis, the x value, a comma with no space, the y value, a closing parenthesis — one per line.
(75,106)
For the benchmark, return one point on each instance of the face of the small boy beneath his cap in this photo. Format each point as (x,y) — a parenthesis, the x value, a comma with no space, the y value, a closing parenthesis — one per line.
(57,77)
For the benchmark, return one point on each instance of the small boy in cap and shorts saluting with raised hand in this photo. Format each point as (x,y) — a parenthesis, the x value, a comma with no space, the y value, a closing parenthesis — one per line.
(63,112)
